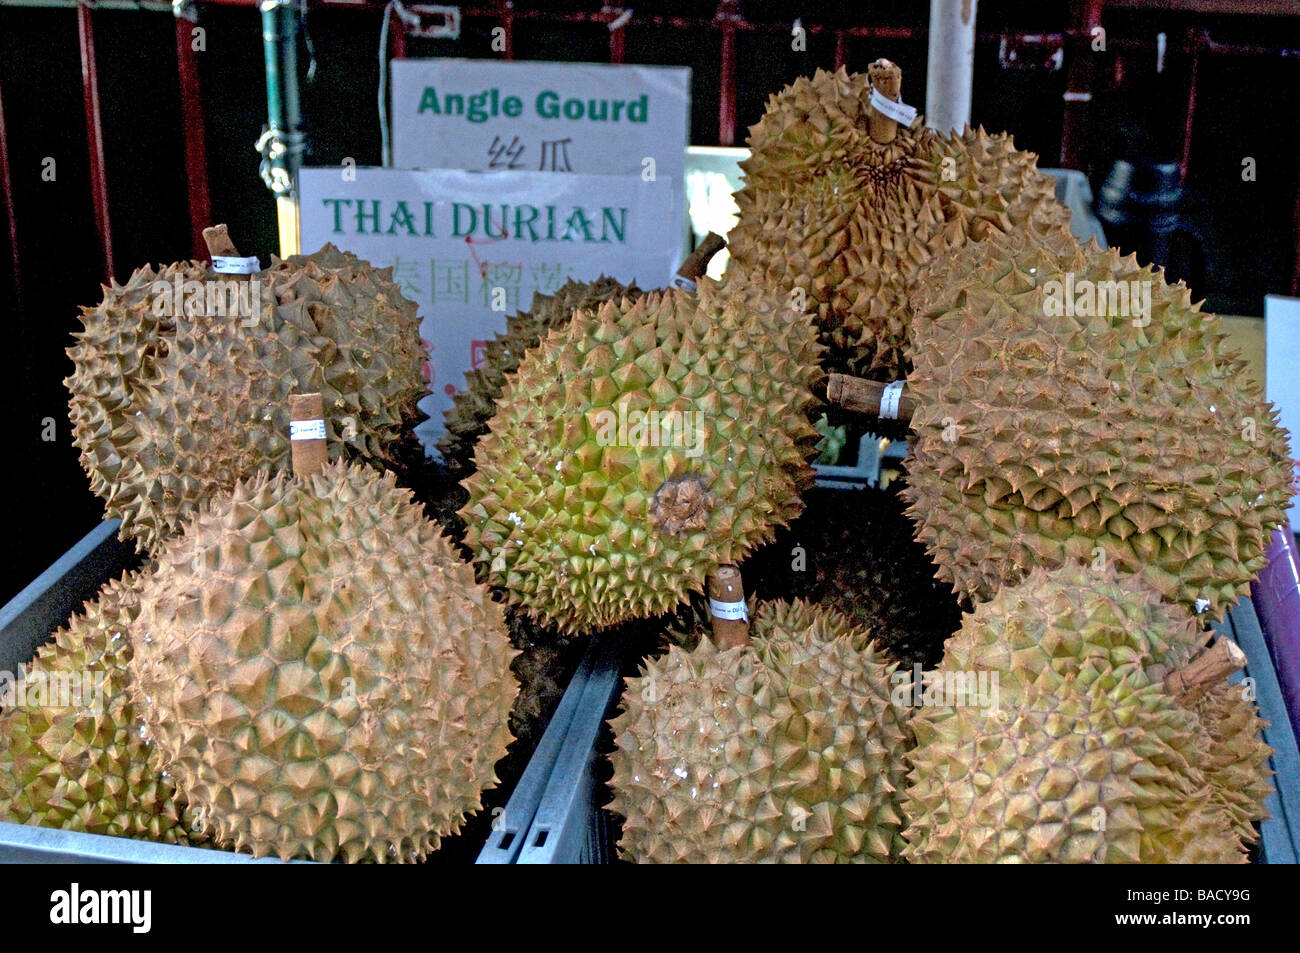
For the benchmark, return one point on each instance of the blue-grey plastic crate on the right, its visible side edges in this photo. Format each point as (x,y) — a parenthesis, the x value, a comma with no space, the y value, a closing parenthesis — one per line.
(570,825)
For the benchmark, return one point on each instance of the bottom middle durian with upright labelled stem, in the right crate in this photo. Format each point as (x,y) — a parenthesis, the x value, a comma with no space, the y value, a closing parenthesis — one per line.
(785,751)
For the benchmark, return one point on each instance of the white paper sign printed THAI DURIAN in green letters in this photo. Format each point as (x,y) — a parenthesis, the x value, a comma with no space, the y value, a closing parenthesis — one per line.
(471,249)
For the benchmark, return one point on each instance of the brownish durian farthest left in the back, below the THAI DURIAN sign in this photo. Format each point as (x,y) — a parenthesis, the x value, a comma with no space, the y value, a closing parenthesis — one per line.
(167,408)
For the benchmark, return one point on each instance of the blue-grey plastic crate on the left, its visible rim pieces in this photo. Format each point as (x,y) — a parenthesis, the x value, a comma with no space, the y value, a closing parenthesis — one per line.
(29,620)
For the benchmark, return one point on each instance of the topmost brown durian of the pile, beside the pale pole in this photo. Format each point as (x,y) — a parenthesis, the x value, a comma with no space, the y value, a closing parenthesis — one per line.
(852,220)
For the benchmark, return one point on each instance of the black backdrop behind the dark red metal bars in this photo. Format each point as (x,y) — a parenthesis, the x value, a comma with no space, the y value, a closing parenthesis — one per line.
(1243,110)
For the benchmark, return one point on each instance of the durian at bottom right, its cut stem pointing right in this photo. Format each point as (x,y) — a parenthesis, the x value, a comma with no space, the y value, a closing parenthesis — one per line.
(1073,750)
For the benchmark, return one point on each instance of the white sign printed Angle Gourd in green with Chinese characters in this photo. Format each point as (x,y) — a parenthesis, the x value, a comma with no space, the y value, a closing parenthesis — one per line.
(487,115)
